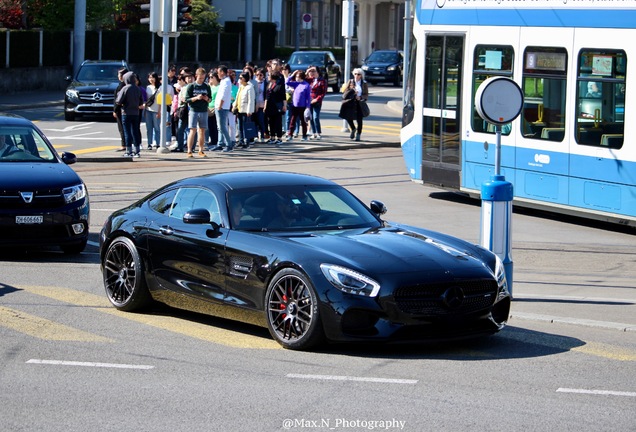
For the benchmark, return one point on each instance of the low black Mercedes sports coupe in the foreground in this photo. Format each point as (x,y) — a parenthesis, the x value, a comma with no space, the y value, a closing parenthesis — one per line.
(302,256)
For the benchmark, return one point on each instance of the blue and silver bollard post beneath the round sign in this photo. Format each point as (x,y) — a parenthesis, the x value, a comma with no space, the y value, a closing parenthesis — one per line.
(496,221)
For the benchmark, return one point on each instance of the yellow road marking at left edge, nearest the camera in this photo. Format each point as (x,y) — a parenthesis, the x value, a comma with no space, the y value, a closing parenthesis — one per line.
(44,329)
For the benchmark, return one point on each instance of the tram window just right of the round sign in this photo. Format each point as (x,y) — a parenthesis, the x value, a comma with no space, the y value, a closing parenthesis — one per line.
(544,91)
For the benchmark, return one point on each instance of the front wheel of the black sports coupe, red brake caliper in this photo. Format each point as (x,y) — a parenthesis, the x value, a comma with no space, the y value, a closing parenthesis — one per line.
(292,312)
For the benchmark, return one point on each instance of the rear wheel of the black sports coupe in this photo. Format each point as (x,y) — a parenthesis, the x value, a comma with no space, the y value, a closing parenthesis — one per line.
(123,276)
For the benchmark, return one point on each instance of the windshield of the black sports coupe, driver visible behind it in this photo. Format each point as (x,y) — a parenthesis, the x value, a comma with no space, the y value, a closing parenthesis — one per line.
(298,208)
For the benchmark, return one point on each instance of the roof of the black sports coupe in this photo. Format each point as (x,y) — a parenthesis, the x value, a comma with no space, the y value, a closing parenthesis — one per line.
(260,179)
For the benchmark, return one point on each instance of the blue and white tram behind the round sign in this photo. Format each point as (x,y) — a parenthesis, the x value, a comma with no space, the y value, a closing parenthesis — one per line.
(573,147)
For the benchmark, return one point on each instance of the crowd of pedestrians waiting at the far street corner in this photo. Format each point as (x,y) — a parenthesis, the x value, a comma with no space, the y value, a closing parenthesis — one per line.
(217,110)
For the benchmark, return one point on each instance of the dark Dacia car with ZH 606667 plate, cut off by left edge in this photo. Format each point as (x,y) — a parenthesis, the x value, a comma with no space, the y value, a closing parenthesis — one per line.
(43,202)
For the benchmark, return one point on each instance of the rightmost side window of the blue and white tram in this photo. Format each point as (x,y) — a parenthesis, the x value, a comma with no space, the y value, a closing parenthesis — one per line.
(600,98)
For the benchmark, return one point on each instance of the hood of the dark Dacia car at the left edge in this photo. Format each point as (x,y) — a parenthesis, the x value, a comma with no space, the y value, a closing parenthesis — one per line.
(25,175)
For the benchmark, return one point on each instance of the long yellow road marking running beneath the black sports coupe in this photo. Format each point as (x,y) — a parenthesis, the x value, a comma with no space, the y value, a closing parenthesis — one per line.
(176,325)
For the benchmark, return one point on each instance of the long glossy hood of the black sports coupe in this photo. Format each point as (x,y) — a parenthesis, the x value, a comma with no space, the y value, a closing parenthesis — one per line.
(393,250)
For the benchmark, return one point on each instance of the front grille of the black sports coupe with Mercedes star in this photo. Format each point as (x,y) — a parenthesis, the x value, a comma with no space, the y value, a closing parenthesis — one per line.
(437,300)
